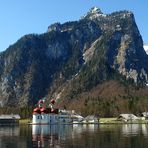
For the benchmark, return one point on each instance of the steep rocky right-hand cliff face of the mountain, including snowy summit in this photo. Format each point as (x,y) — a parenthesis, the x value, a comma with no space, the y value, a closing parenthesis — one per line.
(124,46)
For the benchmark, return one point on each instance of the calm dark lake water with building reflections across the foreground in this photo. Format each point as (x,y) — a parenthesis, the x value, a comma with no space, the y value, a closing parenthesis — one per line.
(75,136)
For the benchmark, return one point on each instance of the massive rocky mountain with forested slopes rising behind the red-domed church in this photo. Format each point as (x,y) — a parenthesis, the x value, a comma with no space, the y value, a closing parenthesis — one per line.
(72,62)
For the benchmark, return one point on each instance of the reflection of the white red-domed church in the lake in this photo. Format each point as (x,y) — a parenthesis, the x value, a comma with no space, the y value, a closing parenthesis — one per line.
(44,135)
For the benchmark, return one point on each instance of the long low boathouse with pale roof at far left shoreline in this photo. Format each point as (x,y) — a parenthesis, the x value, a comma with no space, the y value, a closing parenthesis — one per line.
(9,119)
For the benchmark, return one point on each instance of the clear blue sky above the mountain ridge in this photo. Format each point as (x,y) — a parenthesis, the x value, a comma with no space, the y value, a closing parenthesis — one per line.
(20,17)
